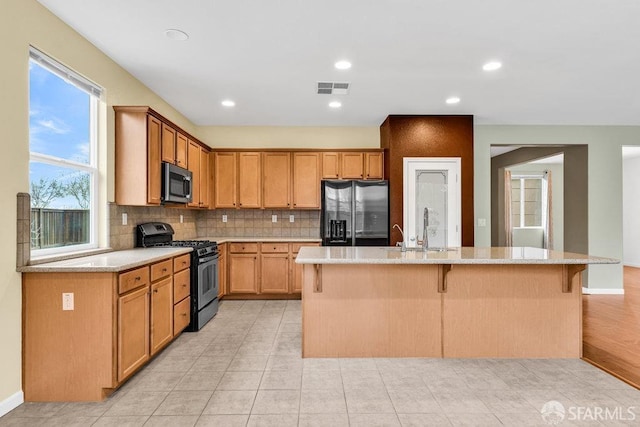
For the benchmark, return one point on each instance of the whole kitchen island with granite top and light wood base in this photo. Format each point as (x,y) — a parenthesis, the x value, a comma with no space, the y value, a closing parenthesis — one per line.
(460,302)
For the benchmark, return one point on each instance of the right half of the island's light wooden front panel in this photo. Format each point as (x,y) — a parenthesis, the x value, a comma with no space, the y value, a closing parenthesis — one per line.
(511,311)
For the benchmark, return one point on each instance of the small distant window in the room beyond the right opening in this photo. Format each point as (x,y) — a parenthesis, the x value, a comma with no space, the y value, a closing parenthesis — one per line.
(528,206)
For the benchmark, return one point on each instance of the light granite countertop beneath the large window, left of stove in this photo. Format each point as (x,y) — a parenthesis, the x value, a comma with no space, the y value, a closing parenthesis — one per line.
(107,262)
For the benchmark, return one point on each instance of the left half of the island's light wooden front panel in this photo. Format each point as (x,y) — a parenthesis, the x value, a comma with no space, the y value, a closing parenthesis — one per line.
(371,311)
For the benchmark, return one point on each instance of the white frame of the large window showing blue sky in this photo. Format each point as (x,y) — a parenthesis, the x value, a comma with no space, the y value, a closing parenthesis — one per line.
(92,168)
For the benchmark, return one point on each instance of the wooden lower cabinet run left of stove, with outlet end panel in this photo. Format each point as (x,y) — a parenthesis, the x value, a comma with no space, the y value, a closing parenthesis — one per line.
(117,323)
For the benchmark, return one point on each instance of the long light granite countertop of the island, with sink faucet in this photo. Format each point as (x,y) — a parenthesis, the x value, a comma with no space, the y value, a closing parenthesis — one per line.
(464,255)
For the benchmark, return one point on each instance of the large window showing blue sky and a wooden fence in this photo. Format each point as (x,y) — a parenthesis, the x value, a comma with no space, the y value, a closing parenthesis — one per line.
(63,167)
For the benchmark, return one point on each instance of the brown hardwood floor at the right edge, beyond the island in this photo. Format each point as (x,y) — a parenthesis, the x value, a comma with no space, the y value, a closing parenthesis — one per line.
(611,330)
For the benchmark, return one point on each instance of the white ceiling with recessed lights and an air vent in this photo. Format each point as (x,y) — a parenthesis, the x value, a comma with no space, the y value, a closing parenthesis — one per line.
(565,62)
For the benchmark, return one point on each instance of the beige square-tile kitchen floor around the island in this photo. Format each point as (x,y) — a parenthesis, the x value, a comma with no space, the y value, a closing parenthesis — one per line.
(244,369)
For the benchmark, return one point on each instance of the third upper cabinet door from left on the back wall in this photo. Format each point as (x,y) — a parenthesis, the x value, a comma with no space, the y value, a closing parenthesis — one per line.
(276,180)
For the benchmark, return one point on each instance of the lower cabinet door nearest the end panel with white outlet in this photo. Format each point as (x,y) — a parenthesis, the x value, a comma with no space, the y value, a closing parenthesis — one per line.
(133,332)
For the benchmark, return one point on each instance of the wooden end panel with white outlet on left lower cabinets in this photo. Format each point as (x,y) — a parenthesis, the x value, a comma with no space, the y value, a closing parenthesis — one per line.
(67,354)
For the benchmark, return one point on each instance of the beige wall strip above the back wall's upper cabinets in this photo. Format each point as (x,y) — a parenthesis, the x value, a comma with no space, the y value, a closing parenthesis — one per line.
(291,137)
